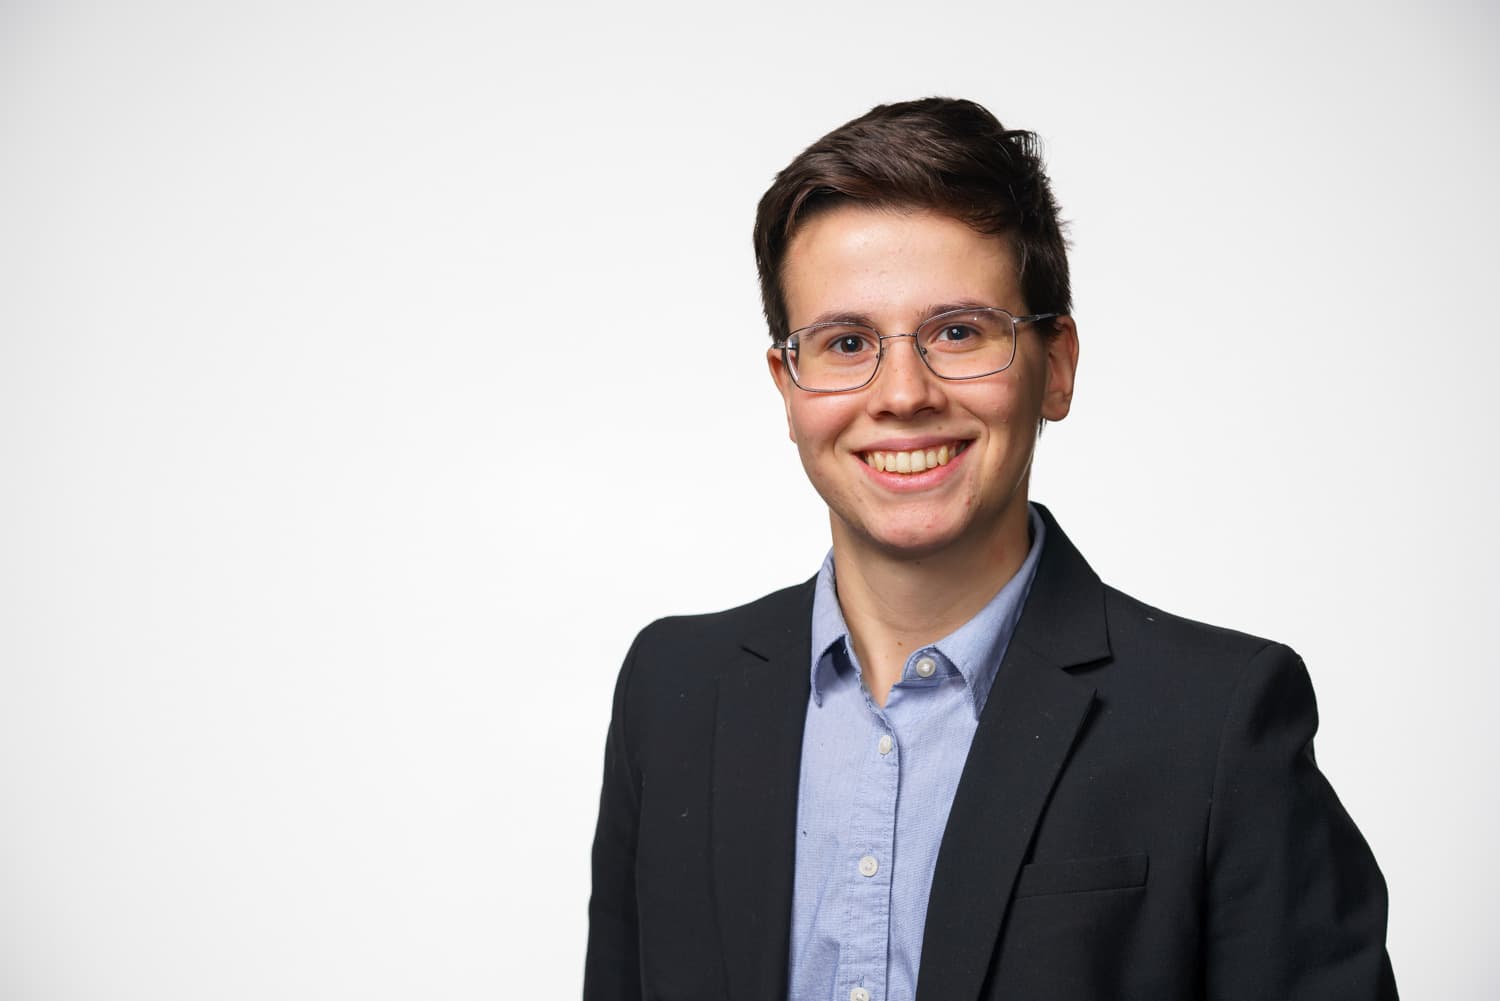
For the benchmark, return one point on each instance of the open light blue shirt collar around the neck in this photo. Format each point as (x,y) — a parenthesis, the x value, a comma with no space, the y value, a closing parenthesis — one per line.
(976,649)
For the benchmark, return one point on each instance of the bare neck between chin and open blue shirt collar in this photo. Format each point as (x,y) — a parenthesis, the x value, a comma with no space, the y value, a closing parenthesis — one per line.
(896,604)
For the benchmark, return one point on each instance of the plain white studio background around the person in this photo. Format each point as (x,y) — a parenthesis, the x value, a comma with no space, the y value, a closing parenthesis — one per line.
(371,373)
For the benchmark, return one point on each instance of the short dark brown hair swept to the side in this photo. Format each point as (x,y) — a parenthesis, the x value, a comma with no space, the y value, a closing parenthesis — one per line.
(938,154)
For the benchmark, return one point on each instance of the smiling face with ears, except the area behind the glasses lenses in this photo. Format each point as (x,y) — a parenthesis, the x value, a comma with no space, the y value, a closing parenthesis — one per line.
(898,269)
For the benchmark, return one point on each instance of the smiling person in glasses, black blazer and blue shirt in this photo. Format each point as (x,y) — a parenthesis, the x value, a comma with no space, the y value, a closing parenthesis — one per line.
(955,765)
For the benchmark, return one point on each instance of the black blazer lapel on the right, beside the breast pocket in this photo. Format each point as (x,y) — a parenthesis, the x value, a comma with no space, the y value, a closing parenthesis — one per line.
(1030,724)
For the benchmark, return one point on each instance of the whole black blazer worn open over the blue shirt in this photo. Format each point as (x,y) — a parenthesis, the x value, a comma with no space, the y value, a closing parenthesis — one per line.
(1141,816)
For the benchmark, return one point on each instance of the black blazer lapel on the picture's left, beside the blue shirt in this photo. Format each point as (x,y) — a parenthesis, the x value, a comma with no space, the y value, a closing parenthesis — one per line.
(758,751)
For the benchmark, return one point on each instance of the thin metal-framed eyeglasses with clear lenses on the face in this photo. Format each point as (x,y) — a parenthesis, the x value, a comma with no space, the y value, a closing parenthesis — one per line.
(841,358)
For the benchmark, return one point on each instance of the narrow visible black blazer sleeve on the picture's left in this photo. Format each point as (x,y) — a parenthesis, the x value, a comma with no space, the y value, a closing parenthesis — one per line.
(613,964)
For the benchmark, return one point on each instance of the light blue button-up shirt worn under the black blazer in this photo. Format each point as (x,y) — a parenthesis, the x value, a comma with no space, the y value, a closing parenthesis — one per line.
(877,786)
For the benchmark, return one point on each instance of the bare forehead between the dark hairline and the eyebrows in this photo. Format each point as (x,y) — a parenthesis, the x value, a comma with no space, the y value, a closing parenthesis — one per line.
(893,265)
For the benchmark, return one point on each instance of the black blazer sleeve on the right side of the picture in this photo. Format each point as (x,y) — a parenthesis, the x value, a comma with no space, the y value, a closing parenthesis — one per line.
(1297,907)
